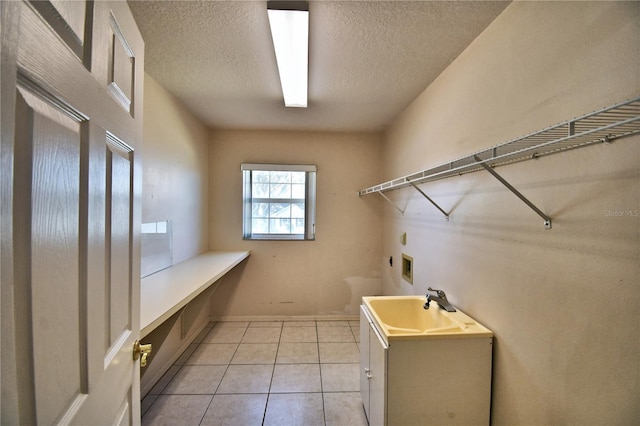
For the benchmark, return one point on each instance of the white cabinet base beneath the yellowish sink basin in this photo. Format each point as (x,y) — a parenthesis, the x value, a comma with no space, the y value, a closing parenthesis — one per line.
(433,381)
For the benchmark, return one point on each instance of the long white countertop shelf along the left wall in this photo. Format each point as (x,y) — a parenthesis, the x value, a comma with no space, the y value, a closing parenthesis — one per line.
(166,292)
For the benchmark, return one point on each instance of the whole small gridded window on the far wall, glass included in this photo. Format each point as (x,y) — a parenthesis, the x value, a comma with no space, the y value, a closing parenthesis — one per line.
(279,202)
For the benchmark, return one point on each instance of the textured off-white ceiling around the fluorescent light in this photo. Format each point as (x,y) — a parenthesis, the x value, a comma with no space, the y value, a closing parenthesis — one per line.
(368,60)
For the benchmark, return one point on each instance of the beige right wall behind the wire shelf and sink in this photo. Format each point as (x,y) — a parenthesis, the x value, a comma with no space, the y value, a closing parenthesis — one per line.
(564,303)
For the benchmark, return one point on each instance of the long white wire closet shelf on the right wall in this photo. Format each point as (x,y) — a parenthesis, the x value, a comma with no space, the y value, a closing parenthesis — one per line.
(602,126)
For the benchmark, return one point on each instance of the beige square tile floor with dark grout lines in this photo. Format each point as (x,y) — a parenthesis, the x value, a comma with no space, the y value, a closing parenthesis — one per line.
(263,373)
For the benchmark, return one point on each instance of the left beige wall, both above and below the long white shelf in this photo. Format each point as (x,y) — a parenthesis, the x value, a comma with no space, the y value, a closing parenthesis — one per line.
(175,187)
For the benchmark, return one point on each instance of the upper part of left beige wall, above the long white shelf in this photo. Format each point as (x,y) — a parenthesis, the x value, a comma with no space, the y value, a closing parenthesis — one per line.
(175,170)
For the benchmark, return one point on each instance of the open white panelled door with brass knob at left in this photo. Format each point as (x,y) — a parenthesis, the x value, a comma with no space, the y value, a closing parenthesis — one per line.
(72,77)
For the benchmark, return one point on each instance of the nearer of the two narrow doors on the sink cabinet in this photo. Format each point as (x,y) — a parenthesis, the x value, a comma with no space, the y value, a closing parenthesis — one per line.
(378,380)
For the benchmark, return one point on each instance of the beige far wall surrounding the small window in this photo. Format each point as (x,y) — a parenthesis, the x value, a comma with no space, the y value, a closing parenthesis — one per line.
(299,278)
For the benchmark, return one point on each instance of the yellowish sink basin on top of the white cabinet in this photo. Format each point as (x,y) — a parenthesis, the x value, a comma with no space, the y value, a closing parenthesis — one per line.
(405,317)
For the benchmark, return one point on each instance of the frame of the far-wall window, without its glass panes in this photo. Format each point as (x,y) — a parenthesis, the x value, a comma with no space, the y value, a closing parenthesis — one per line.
(309,201)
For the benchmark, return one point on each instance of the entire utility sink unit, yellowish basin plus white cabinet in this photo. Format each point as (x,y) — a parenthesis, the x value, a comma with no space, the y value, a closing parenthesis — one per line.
(423,366)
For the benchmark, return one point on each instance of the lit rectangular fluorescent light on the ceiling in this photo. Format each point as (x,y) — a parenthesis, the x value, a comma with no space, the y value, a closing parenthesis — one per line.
(290,33)
